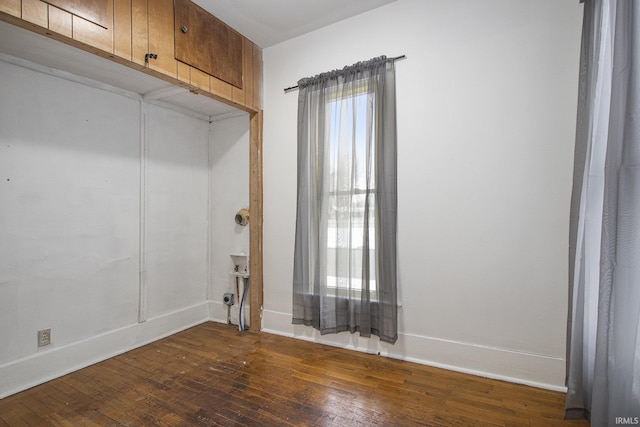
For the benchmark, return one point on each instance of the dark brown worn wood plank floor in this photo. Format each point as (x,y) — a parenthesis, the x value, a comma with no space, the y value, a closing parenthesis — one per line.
(213,375)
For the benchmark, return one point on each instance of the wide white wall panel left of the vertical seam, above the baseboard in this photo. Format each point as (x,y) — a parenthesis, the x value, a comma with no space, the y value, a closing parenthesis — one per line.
(69,211)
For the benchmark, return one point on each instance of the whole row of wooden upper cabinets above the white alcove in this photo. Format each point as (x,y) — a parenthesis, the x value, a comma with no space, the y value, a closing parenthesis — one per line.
(175,40)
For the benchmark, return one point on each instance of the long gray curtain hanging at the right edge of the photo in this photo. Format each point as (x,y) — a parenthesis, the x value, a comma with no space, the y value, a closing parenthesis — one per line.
(603,369)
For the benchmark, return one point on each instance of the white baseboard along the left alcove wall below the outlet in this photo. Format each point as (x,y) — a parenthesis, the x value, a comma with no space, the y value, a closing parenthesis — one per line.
(21,374)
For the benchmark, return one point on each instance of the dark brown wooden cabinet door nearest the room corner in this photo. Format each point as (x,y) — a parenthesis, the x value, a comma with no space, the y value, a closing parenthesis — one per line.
(208,44)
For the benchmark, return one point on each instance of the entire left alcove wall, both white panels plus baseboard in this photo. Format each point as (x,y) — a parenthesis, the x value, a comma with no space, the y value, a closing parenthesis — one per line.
(84,207)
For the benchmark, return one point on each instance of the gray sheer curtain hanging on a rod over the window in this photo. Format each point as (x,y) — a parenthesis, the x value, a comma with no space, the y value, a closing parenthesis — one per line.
(345,242)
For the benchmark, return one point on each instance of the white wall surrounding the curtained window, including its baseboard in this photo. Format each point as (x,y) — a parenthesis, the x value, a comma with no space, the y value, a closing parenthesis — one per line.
(486,119)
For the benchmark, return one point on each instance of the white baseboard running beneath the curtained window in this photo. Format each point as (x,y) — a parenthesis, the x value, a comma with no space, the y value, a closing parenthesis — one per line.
(541,371)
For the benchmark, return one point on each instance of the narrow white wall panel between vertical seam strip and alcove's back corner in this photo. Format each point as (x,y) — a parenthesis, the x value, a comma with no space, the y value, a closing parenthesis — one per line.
(176,212)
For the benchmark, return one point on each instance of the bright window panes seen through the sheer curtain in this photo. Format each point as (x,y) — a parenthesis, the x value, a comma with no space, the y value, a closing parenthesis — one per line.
(349,193)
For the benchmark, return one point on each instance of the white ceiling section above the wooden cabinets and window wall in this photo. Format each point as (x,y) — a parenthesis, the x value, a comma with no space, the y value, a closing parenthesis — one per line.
(269,22)
